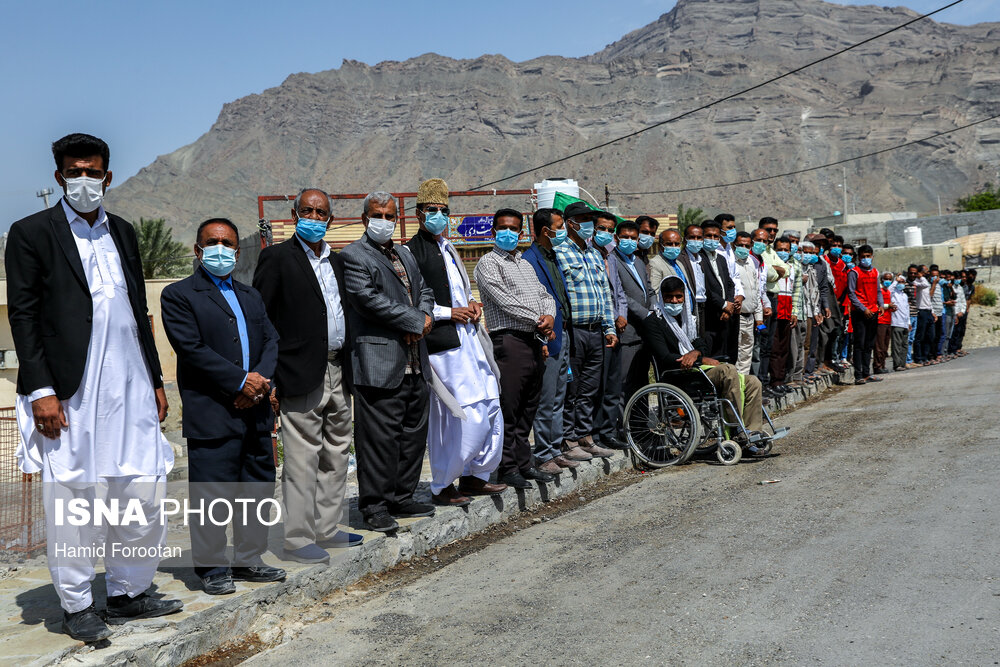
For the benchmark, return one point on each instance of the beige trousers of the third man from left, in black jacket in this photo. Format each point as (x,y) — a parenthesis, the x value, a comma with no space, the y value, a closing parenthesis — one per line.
(316,436)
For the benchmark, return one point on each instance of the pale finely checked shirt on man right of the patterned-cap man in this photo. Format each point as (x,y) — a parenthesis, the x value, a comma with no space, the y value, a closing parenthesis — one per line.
(513,298)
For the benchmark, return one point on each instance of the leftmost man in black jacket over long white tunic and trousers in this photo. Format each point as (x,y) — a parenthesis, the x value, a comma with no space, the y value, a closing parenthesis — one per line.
(90,391)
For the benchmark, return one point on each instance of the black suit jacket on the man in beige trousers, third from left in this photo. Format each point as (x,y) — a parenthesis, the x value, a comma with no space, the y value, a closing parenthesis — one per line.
(295,305)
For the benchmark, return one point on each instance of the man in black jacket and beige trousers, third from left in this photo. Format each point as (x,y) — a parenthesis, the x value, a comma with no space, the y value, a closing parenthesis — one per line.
(302,284)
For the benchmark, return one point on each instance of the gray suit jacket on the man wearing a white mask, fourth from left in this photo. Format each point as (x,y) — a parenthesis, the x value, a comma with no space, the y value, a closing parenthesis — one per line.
(382,312)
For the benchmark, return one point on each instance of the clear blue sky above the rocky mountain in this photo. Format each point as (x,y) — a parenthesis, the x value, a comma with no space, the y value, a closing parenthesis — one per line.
(150,77)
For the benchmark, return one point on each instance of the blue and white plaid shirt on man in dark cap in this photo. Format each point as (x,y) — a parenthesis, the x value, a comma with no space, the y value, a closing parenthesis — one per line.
(587,284)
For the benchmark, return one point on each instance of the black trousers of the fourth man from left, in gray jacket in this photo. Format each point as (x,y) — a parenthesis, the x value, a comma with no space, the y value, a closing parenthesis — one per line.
(390,438)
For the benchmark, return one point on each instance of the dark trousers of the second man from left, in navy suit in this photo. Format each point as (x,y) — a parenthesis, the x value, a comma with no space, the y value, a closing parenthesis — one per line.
(233,468)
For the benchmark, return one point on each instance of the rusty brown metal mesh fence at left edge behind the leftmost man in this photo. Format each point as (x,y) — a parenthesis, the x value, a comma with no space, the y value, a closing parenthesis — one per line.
(22,521)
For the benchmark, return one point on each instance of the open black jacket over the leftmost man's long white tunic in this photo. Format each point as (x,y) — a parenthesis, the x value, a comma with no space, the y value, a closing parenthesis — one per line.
(49,305)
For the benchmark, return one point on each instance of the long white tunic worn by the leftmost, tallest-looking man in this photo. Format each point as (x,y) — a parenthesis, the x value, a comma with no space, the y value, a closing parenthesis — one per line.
(114,429)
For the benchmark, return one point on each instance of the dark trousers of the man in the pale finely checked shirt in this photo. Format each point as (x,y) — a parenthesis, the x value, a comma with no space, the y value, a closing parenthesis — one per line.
(519,360)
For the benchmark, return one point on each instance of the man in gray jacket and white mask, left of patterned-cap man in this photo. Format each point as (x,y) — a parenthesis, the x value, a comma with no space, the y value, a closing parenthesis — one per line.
(391,311)
